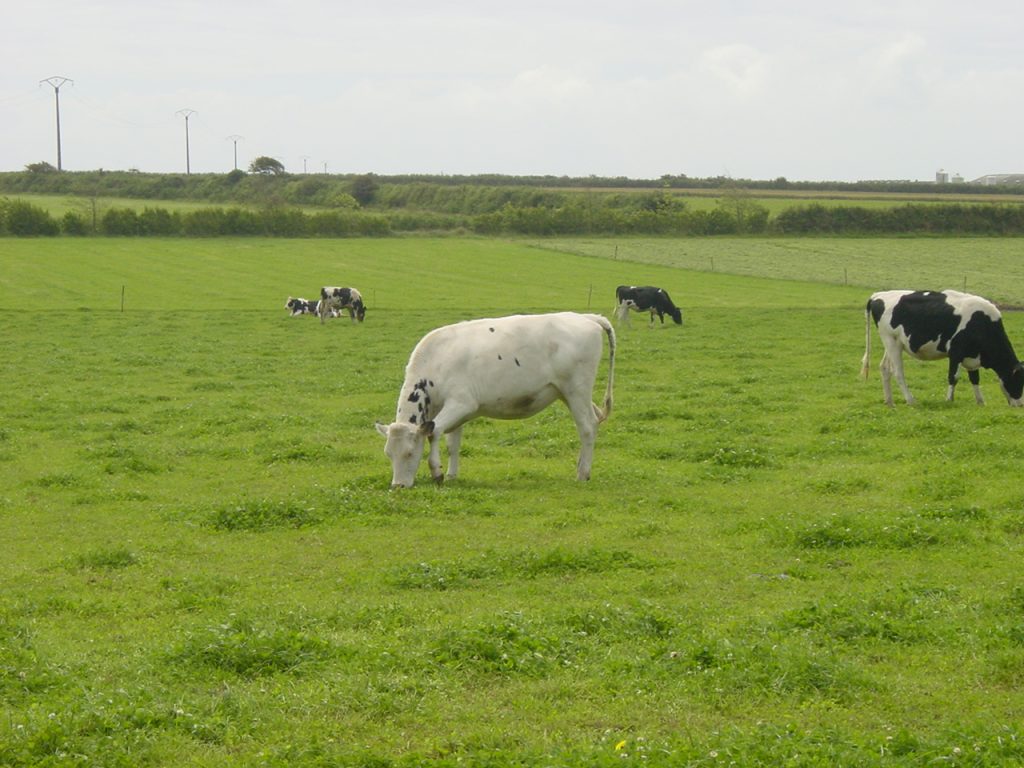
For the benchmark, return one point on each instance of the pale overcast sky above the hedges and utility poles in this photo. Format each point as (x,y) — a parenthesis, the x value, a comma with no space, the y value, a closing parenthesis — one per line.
(804,90)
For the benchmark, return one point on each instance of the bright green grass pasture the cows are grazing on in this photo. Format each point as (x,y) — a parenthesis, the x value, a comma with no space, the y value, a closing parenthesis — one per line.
(204,566)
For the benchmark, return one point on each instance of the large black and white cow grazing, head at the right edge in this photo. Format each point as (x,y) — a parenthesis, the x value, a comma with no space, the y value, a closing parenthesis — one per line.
(932,325)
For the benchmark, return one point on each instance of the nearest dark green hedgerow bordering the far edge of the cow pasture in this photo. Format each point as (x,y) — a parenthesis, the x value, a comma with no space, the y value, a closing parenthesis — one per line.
(661,216)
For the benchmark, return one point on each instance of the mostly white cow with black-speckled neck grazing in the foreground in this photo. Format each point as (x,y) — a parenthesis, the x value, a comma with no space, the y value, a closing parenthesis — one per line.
(505,368)
